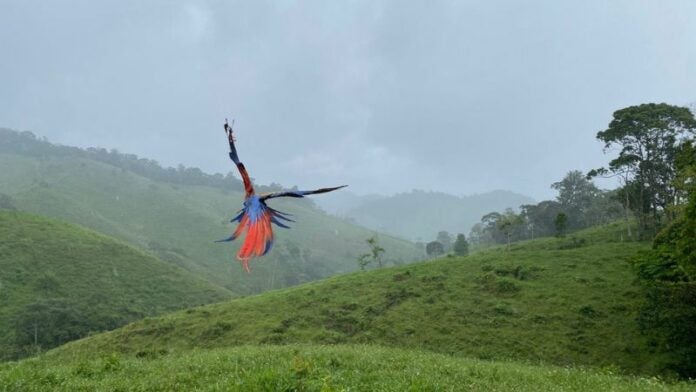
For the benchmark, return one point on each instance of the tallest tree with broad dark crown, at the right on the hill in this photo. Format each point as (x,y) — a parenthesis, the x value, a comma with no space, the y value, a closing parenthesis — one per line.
(648,136)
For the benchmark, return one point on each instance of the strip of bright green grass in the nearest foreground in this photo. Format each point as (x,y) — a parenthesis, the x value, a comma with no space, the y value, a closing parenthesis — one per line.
(309,368)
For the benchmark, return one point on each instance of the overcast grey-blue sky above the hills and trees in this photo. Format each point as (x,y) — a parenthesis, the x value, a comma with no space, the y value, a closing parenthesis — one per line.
(455,96)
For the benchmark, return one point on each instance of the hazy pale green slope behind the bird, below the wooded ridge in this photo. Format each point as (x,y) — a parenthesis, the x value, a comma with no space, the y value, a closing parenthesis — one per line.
(179,223)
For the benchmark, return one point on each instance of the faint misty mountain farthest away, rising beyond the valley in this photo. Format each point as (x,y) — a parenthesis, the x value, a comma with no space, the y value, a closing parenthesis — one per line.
(420,215)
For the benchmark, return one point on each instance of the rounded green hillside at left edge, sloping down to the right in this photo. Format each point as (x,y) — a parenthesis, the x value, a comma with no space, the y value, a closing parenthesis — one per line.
(59,281)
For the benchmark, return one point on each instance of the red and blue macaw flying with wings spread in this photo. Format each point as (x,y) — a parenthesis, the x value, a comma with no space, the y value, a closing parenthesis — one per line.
(256,217)
